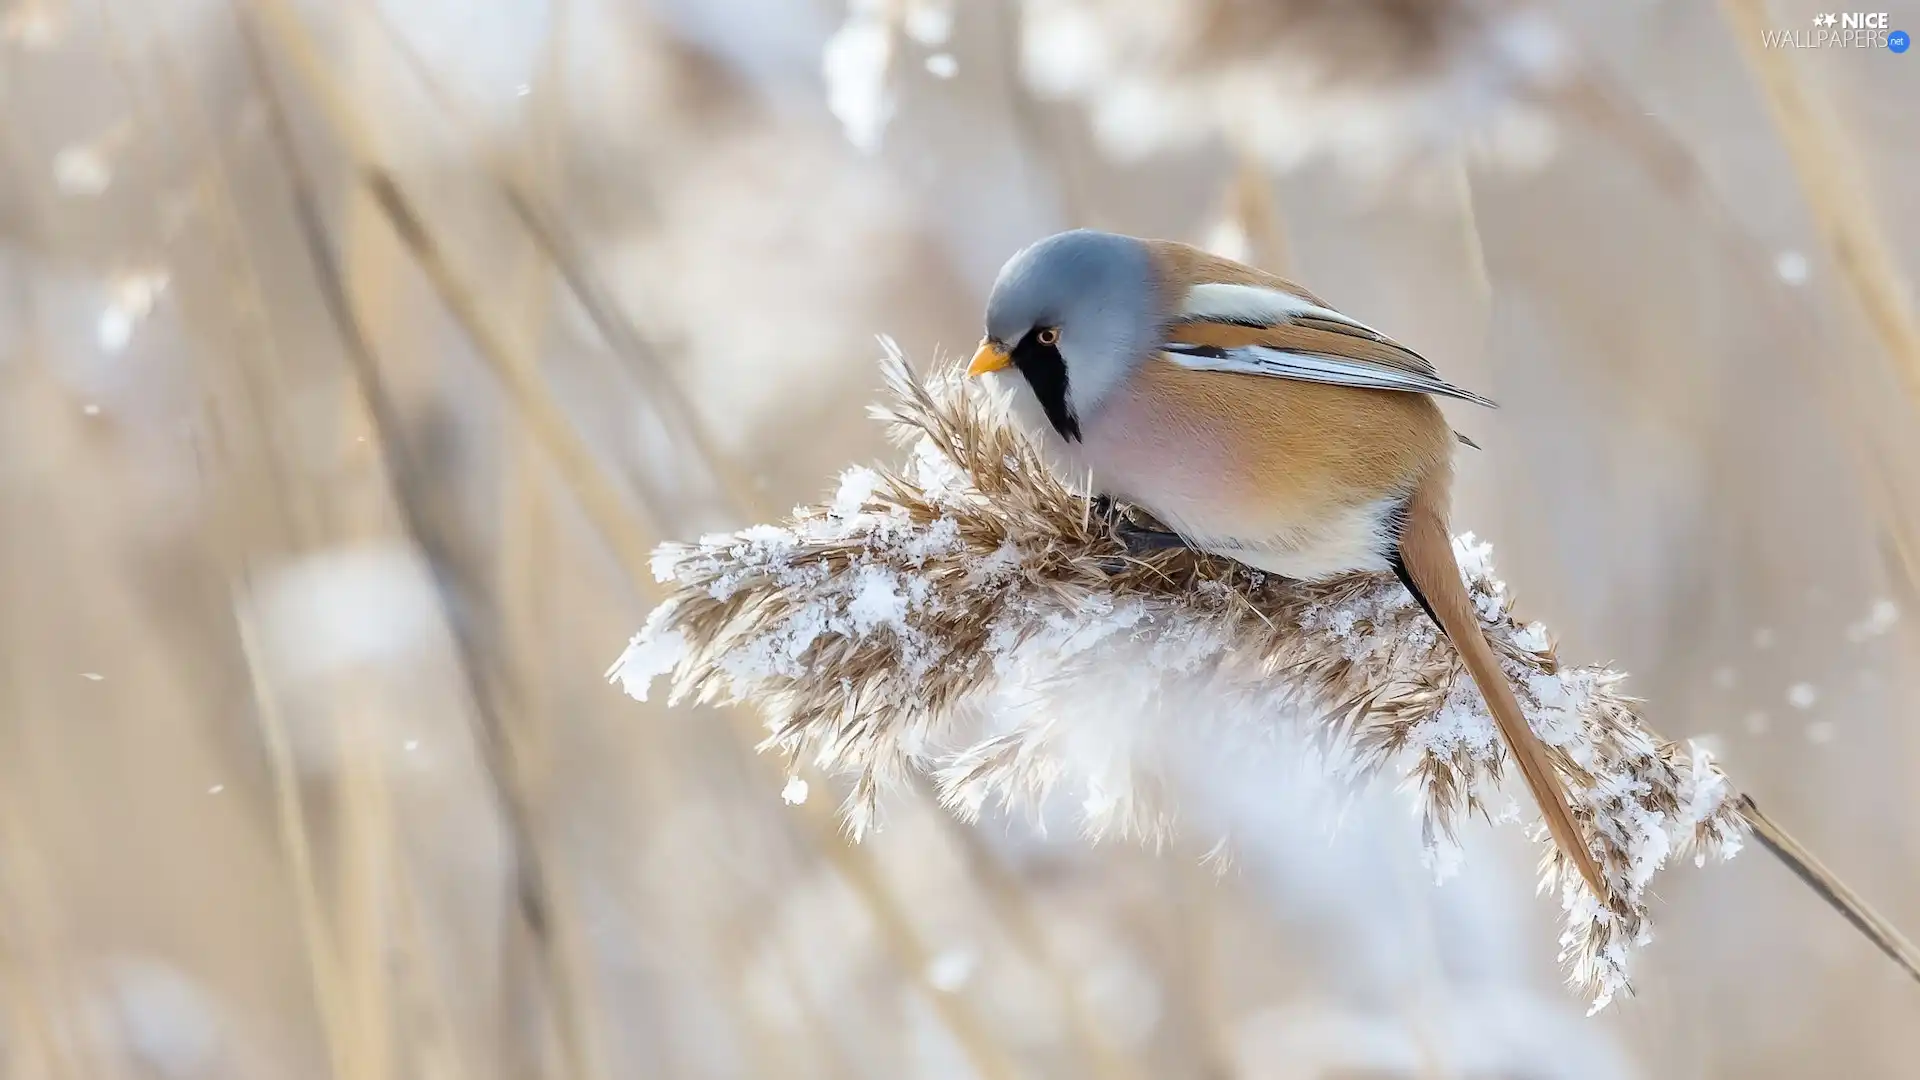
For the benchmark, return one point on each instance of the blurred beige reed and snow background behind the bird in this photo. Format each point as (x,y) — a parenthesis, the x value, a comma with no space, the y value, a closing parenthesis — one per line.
(356,353)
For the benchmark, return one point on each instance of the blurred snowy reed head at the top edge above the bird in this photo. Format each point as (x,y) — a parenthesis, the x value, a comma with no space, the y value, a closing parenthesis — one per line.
(1370,84)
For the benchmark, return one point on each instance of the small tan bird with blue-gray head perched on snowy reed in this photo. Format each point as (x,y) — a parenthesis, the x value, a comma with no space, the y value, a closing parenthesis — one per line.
(1255,422)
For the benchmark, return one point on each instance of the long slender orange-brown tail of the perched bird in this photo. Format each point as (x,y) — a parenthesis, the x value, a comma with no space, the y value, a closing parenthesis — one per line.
(1433,577)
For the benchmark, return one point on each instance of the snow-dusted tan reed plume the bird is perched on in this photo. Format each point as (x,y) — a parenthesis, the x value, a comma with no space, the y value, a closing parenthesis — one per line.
(969,618)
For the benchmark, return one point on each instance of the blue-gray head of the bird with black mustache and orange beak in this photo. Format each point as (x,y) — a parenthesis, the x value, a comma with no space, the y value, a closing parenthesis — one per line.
(1074,314)
